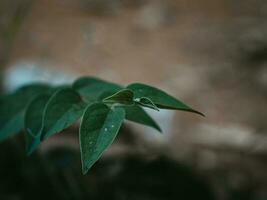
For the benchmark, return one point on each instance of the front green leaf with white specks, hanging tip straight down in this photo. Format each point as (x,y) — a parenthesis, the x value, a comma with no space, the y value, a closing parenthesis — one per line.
(99,127)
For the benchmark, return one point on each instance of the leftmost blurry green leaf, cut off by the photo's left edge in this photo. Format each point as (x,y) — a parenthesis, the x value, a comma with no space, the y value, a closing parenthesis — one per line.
(12,108)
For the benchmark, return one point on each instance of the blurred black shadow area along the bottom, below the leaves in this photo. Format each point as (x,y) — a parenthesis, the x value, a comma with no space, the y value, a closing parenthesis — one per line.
(57,175)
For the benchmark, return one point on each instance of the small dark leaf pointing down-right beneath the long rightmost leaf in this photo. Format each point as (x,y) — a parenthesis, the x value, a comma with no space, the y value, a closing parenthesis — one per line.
(139,115)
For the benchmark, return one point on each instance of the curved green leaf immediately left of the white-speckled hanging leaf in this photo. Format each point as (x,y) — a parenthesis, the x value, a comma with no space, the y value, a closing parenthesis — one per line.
(63,109)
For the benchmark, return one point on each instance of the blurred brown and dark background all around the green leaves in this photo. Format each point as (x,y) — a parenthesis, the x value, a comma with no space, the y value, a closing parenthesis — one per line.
(212,54)
